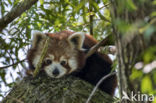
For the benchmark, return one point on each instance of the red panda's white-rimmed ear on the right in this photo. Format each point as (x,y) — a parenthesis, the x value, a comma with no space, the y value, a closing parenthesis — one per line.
(77,39)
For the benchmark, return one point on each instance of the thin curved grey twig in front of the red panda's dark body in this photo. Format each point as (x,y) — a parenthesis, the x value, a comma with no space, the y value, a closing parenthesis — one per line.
(97,85)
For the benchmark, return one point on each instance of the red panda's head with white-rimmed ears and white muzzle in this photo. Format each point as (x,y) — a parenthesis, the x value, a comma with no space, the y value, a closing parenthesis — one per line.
(64,54)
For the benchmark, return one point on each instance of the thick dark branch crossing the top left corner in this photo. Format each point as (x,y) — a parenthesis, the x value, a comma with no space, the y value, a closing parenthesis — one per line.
(15,12)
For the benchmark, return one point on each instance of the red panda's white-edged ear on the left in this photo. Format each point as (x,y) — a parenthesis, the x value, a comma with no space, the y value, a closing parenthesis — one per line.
(37,37)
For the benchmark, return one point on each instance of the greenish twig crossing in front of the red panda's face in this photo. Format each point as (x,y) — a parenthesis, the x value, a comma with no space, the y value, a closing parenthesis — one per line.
(44,51)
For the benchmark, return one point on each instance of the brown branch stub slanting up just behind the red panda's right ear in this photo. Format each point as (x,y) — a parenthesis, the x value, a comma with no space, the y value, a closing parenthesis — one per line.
(96,47)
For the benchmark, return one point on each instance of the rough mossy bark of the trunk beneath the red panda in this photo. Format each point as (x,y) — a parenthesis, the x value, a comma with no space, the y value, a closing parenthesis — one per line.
(43,89)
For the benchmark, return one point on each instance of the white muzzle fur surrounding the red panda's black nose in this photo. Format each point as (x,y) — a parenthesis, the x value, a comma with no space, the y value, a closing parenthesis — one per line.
(55,65)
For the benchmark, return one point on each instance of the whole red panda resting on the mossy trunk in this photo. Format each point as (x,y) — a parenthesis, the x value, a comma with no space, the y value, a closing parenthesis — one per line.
(66,56)
